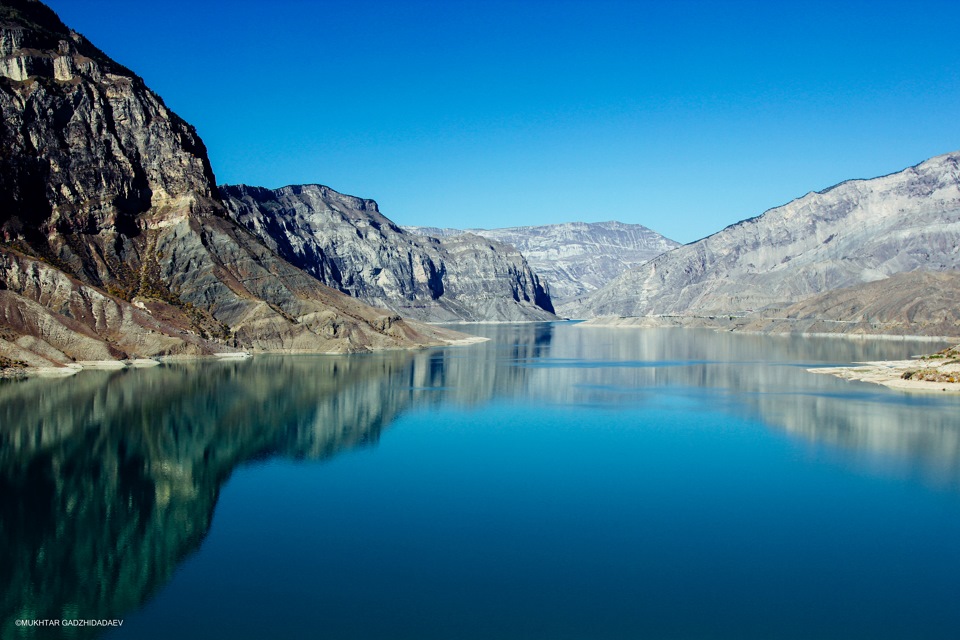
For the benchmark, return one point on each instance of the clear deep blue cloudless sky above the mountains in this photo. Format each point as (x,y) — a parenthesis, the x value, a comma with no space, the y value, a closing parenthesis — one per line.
(684,116)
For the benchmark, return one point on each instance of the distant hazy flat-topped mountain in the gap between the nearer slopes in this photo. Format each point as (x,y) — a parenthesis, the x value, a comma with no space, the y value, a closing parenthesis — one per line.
(574,258)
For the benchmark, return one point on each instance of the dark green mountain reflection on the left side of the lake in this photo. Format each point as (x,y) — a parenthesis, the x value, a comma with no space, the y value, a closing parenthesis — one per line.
(108,480)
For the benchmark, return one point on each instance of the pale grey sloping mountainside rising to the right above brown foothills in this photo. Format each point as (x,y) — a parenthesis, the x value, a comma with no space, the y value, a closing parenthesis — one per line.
(856,232)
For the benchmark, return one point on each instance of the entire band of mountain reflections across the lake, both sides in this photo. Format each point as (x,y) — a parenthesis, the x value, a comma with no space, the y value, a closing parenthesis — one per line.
(108,480)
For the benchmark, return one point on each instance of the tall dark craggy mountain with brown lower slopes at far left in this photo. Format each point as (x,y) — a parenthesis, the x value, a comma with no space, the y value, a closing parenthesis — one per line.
(114,237)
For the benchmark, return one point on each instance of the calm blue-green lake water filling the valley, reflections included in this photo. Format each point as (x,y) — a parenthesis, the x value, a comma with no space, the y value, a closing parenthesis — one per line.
(556,482)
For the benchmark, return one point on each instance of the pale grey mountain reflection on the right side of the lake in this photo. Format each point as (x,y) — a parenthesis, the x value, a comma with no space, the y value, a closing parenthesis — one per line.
(767,377)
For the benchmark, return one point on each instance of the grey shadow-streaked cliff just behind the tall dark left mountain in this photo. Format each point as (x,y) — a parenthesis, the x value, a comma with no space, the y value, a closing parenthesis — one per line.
(346,243)
